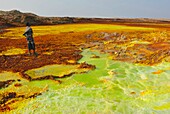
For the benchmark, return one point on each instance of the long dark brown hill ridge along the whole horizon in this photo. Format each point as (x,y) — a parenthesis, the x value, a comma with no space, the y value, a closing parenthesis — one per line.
(17,18)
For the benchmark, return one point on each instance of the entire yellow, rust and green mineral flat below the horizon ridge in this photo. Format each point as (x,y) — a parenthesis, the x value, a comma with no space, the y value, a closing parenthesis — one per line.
(86,68)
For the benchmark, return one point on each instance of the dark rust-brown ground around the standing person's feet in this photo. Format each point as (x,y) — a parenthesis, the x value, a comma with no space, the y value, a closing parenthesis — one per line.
(62,49)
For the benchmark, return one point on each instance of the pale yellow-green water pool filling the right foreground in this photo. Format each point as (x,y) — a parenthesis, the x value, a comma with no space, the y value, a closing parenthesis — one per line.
(112,88)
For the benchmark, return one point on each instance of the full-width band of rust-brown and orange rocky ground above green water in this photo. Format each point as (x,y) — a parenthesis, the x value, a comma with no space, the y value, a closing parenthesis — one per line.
(65,47)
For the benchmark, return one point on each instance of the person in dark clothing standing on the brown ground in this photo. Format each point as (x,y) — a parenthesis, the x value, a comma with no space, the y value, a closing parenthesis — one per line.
(30,40)
